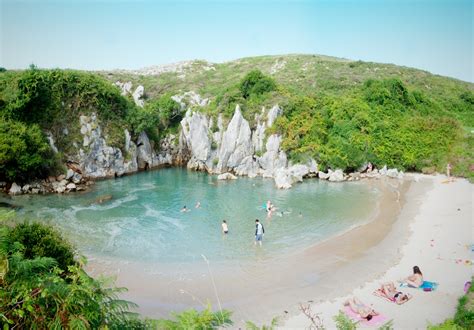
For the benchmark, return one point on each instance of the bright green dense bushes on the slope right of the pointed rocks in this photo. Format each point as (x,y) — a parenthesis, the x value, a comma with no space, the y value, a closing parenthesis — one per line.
(382,122)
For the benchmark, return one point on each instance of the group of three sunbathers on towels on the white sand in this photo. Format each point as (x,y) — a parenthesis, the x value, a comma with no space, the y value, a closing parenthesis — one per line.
(388,291)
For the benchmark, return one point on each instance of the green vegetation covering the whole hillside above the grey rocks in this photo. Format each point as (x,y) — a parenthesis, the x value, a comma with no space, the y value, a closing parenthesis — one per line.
(342,113)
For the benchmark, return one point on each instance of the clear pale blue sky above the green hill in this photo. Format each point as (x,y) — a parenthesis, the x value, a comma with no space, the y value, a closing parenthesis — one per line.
(433,35)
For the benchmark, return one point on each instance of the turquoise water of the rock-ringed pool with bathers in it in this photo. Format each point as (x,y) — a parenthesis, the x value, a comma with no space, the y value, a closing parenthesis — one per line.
(142,222)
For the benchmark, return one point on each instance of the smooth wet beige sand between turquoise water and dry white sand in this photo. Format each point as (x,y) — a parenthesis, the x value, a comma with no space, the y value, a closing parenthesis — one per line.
(263,288)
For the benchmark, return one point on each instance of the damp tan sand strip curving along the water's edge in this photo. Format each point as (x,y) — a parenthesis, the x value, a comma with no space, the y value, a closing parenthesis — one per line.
(261,289)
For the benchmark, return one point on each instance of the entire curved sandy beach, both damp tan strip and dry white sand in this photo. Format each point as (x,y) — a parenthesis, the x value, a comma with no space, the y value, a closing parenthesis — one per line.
(417,222)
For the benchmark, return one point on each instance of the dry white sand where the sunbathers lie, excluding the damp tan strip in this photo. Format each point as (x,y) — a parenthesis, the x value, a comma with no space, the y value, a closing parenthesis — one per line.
(440,227)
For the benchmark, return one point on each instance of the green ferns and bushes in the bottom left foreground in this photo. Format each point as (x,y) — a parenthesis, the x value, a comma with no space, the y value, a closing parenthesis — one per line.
(37,293)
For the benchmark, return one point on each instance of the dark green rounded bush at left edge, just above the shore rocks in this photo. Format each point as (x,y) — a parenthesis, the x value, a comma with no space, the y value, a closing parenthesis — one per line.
(24,152)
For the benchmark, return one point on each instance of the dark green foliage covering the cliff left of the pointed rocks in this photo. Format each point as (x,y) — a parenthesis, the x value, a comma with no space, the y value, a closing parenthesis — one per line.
(35,101)
